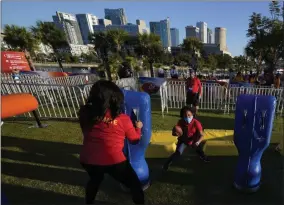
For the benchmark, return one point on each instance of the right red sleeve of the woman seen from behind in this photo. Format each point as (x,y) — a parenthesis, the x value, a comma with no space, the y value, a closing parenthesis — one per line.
(131,133)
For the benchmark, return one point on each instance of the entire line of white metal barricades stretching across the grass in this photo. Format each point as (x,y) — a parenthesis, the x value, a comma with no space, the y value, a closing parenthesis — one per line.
(63,102)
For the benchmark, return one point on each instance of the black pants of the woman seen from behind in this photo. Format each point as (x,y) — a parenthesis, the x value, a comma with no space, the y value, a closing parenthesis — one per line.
(122,172)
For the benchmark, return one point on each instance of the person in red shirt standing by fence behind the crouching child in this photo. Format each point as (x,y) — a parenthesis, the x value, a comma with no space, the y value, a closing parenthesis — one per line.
(194,91)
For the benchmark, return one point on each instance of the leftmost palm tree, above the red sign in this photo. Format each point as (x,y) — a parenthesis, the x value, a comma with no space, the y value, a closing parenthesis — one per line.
(19,38)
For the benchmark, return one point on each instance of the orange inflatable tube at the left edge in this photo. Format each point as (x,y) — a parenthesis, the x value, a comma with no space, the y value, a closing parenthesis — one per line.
(17,104)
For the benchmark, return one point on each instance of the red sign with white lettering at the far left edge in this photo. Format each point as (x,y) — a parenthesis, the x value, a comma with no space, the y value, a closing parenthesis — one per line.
(11,60)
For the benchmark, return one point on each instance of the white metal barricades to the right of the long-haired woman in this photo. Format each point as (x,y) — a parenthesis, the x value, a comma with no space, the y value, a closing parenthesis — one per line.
(215,96)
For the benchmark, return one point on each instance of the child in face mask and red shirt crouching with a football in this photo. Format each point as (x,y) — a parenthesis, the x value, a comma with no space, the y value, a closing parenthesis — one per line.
(190,133)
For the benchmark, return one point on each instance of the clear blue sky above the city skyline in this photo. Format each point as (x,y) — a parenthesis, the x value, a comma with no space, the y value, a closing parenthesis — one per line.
(231,15)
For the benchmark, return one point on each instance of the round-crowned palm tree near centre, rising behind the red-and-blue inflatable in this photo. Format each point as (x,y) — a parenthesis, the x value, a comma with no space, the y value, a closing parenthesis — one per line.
(150,48)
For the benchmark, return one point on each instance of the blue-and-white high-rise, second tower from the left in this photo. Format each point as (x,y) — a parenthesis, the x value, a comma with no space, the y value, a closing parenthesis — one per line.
(86,23)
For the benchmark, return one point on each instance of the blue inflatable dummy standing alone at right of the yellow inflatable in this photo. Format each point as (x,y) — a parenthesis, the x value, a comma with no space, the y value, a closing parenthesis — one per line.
(254,117)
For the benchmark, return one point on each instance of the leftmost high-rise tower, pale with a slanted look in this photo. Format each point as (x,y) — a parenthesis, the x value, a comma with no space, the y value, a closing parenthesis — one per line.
(68,23)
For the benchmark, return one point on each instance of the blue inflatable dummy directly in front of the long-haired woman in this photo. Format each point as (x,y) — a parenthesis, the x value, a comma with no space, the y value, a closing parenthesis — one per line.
(138,106)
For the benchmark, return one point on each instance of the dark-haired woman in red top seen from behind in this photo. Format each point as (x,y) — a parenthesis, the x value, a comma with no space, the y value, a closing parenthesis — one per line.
(105,128)
